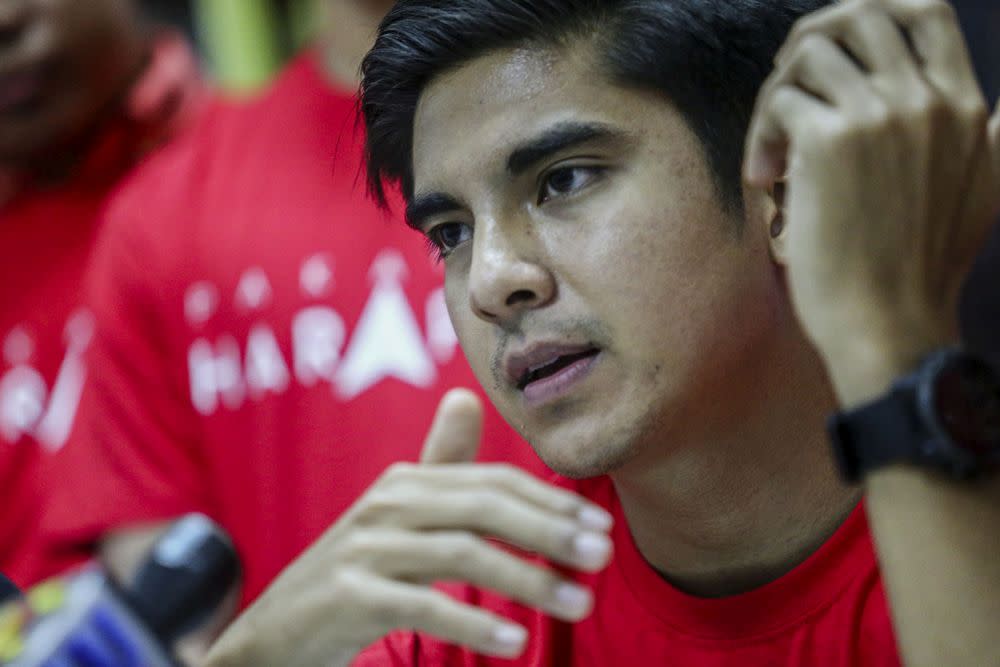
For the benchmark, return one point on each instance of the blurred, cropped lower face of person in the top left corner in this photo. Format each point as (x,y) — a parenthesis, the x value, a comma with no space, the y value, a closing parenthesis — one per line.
(61,63)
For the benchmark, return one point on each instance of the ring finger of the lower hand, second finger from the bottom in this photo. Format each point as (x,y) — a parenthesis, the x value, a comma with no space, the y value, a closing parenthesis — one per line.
(456,556)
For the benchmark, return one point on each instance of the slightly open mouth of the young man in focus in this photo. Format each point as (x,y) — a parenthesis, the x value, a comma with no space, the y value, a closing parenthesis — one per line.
(549,371)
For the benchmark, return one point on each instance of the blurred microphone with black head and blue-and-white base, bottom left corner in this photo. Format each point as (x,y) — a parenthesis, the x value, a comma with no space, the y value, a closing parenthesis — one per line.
(90,620)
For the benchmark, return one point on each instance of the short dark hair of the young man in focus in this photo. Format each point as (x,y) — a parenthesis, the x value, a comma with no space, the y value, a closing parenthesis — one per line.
(708,57)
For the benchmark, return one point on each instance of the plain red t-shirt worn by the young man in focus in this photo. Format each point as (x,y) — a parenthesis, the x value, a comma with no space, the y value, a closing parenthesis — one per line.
(830,611)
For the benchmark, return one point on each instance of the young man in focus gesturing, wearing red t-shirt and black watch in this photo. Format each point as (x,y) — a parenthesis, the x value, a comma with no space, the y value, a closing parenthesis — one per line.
(674,340)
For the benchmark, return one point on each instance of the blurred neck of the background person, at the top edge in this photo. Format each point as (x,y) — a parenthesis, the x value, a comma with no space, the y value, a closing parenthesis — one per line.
(348,34)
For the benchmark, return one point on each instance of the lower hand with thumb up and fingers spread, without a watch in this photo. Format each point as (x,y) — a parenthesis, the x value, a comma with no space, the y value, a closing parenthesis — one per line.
(371,573)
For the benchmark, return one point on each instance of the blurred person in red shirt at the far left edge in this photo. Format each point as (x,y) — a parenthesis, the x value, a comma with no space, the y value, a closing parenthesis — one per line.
(86,89)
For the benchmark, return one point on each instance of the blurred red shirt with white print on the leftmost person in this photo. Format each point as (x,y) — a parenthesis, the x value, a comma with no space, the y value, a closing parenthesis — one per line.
(46,236)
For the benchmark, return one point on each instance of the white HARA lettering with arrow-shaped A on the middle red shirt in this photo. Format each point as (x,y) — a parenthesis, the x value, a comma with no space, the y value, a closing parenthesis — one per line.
(386,343)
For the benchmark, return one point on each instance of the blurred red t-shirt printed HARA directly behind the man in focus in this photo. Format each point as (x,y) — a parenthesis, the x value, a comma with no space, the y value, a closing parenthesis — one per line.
(268,341)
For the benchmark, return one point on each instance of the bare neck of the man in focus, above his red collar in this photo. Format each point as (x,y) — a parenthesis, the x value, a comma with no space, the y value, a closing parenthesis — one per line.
(746,495)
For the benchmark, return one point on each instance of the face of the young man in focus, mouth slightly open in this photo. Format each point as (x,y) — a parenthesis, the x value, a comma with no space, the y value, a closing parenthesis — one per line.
(599,290)
